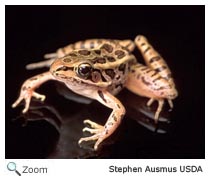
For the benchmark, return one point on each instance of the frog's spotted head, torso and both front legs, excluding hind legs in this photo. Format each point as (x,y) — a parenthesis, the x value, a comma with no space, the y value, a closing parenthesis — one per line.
(98,73)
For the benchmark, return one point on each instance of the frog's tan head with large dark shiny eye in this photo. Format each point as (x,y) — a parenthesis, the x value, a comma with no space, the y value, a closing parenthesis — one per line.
(76,69)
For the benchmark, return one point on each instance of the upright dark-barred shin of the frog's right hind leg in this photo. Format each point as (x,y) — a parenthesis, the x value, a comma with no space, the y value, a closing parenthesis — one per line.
(153,59)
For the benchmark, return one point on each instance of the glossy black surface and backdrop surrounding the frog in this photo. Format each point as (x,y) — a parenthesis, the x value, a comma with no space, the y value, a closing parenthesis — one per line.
(177,32)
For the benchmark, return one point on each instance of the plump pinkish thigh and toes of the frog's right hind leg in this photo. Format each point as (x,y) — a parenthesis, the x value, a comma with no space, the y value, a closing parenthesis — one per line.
(145,81)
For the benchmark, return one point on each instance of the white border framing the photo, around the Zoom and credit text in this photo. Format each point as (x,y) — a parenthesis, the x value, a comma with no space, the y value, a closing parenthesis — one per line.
(99,168)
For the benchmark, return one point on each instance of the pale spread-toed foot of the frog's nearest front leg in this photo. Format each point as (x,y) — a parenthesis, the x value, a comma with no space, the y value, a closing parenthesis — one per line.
(98,131)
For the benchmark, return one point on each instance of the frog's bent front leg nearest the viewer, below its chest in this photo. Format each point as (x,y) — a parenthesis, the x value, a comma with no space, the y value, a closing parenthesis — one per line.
(100,133)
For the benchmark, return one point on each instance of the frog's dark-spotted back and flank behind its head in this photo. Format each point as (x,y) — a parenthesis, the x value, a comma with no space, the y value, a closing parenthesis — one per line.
(114,63)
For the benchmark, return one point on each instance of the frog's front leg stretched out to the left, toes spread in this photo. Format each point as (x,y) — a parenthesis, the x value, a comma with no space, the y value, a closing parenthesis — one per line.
(28,87)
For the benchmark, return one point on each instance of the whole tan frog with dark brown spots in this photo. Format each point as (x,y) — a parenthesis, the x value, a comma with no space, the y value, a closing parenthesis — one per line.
(99,69)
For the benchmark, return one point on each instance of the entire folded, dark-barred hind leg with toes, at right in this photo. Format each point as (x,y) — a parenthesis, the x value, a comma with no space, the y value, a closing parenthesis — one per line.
(154,80)
